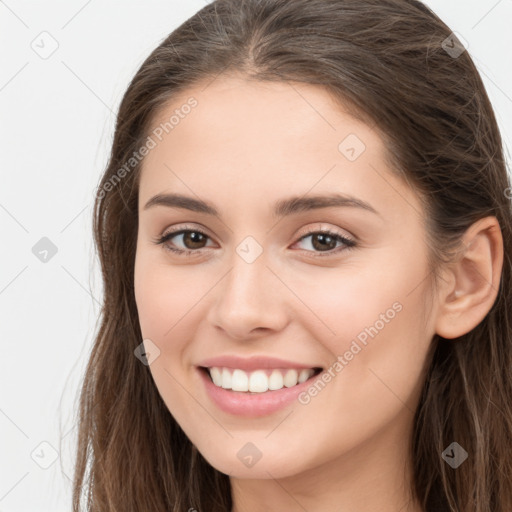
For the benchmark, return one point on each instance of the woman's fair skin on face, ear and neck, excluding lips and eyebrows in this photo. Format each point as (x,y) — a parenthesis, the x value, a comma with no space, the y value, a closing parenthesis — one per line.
(245,146)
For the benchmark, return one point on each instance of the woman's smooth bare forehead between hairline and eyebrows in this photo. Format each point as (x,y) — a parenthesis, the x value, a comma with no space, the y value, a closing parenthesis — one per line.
(264,140)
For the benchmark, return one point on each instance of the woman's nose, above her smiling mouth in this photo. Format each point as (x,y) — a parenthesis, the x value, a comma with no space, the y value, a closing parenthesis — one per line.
(249,301)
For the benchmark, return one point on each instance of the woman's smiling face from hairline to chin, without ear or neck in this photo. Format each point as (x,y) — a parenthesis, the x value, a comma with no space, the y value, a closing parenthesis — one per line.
(279,288)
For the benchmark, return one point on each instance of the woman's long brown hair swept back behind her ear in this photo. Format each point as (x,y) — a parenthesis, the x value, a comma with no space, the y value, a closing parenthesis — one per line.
(393,63)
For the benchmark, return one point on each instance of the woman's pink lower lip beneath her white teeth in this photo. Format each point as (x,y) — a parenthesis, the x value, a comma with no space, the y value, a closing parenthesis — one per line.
(250,405)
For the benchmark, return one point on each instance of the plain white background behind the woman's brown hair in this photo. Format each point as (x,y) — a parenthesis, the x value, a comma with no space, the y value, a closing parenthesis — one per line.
(57,117)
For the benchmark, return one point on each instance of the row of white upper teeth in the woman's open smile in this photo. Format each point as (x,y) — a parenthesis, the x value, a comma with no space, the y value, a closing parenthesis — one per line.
(258,381)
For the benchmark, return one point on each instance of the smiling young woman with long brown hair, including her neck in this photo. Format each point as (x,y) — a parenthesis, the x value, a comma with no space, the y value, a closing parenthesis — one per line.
(305,232)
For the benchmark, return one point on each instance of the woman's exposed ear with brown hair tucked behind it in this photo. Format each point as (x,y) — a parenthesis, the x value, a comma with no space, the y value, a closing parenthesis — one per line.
(473,281)
